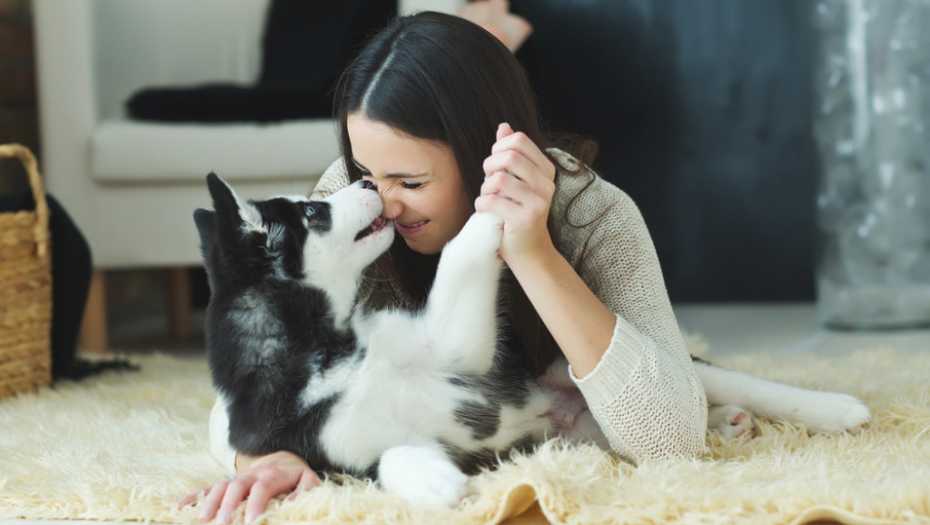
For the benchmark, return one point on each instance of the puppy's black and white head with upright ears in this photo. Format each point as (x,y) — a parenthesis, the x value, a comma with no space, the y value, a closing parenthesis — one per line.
(319,243)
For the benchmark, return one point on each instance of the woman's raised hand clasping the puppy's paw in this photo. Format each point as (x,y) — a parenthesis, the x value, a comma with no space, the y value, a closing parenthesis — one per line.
(519,184)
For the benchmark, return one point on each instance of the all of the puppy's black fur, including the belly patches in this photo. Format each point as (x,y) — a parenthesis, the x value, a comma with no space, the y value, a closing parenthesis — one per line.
(258,299)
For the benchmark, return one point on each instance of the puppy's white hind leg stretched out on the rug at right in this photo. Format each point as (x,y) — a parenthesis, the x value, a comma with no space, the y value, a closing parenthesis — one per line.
(818,411)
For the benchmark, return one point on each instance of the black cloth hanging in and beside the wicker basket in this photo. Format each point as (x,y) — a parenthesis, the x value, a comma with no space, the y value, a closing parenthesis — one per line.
(71,271)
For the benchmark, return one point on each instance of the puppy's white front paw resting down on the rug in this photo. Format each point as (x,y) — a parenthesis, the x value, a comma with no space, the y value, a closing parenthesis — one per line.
(423,476)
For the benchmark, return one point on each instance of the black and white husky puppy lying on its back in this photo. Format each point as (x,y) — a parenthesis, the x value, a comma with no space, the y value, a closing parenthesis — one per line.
(416,400)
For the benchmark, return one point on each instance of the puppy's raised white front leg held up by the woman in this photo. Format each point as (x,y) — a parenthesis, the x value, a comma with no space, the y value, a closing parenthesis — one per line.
(460,319)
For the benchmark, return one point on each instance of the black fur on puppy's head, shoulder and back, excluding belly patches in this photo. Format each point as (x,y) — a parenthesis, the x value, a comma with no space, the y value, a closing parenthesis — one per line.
(263,416)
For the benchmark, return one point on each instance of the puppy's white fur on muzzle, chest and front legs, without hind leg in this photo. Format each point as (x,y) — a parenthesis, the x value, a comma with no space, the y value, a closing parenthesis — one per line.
(404,375)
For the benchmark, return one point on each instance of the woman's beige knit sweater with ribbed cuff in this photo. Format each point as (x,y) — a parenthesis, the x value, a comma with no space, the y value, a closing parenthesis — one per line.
(644,393)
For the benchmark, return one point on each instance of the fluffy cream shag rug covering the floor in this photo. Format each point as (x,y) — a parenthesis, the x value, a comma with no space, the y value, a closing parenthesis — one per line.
(127,446)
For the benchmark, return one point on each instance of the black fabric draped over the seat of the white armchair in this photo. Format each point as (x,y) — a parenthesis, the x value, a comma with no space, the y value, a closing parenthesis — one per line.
(305,47)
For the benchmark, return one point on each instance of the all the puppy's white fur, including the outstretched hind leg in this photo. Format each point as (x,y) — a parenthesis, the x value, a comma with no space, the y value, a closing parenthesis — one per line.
(396,398)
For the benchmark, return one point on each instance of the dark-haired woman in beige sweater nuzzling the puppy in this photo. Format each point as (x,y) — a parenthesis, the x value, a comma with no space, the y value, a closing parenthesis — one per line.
(428,112)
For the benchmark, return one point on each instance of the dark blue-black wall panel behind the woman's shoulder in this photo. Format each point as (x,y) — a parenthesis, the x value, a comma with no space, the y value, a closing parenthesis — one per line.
(702,111)
